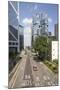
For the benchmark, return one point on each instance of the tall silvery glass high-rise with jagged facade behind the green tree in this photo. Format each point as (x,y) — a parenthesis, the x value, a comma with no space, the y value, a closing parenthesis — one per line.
(40,25)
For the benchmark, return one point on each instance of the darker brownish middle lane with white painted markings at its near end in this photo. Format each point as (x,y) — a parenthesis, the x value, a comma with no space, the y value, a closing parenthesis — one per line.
(28,73)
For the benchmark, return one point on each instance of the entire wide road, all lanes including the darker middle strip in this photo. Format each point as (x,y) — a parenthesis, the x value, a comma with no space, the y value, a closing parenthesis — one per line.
(25,76)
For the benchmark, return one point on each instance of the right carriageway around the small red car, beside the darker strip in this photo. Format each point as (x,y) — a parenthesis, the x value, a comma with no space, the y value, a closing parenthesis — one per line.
(43,76)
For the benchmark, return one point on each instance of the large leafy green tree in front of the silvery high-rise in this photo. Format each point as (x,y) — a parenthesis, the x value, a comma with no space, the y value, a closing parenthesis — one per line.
(40,45)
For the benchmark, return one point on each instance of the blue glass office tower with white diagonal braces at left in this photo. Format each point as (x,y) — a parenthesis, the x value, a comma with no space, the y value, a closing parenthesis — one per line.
(13,26)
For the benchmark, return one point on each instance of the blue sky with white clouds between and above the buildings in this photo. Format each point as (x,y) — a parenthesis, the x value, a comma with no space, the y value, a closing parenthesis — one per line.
(27,10)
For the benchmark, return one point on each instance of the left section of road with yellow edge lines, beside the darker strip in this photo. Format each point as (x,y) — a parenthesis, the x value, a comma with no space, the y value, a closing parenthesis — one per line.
(17,79)
